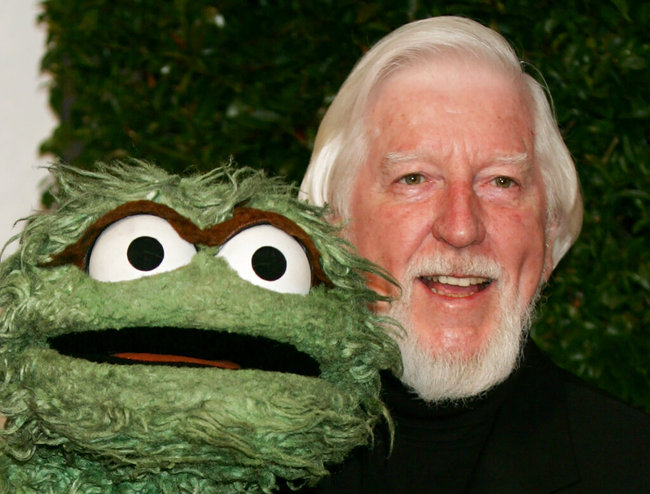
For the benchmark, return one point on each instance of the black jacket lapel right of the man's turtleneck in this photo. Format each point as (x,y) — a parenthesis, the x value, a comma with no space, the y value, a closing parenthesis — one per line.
(530,448)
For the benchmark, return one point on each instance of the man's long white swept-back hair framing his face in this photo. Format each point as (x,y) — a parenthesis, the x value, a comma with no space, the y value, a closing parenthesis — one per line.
(342,143)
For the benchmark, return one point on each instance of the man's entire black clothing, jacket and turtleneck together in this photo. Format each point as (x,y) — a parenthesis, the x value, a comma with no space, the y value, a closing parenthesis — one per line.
(540,431)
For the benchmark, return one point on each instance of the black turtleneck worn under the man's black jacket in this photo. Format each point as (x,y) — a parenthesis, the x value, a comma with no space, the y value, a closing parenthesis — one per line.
(436,447)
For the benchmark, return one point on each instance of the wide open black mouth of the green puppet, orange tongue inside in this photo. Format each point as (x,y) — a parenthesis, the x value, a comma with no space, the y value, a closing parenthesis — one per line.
(185,347)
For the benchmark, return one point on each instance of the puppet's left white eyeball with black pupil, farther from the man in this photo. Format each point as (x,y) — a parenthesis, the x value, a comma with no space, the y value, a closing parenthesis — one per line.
(137,246)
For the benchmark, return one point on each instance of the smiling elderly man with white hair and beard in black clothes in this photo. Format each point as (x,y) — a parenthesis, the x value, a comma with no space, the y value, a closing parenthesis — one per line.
(444,164)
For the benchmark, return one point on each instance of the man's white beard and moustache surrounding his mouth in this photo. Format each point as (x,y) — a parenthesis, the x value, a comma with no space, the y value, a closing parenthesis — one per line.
(439,377)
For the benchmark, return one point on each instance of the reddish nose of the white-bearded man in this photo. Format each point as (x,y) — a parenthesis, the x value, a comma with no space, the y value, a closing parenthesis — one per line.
(458,218)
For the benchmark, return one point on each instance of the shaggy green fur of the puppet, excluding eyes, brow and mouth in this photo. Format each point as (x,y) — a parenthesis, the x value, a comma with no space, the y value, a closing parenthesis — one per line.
(78,426)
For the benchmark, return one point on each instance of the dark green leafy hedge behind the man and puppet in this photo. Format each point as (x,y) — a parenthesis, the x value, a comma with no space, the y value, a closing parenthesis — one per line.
(188,83)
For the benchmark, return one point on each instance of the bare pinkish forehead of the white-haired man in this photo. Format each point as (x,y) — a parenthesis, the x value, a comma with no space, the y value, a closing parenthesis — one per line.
(444,97)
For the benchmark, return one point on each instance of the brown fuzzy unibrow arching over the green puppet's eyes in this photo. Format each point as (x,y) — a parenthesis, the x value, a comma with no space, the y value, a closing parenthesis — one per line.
(216,235)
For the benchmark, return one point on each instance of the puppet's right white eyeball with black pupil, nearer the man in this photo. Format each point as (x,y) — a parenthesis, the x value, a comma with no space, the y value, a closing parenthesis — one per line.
(270,258)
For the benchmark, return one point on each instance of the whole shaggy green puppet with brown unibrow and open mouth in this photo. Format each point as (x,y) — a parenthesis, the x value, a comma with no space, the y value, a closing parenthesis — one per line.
(199,334)
